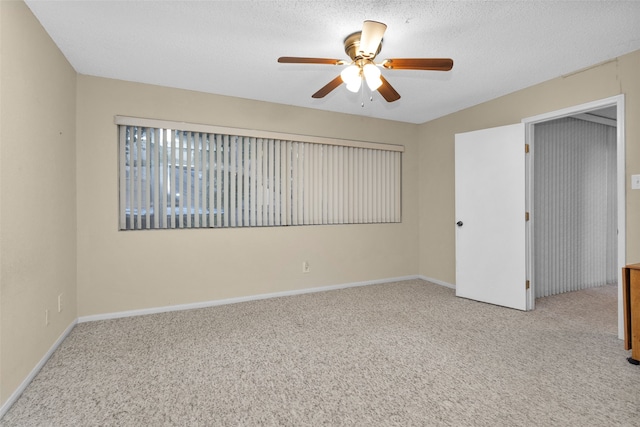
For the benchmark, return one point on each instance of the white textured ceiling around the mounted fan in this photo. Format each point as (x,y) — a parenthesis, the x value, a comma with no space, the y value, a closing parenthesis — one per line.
(231,47)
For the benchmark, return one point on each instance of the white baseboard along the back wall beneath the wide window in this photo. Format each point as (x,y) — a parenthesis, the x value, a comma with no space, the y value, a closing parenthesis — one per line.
(204,304)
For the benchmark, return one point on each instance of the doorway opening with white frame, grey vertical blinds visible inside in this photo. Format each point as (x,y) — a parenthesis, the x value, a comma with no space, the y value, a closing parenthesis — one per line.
(576,194)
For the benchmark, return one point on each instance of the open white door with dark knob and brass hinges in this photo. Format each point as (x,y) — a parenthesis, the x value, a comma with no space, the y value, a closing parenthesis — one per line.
(490,216)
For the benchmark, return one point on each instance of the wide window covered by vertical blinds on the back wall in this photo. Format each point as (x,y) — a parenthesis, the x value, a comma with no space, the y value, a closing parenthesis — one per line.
(177,175)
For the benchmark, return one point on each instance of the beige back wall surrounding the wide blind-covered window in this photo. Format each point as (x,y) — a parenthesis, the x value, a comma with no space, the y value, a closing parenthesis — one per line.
(120,271)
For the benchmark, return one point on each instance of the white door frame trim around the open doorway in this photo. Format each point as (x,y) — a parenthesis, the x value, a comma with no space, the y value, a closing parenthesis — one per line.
(529,122)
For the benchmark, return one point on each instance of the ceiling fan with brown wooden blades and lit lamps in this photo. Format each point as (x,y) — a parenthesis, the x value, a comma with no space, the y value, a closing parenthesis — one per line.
(362,47)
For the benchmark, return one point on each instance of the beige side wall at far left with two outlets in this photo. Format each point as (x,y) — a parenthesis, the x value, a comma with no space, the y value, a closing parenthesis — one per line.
(37,194)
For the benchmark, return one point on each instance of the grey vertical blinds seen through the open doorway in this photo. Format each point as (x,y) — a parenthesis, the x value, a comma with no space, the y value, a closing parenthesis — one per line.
(575,203)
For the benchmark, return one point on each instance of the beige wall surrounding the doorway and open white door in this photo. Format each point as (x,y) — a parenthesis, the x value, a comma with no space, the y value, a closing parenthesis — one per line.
(437,233)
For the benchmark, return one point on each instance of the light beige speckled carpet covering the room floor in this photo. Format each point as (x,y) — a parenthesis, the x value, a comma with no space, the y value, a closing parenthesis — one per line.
(406,353)
